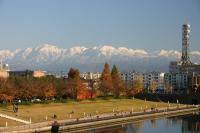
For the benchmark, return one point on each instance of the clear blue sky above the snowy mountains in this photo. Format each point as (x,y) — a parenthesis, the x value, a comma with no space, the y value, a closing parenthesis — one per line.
(145,24)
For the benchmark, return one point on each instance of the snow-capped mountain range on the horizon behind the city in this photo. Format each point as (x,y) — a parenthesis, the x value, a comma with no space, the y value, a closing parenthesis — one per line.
(51,58)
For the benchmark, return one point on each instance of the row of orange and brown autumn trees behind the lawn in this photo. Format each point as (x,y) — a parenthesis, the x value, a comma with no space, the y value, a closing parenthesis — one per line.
(48,87)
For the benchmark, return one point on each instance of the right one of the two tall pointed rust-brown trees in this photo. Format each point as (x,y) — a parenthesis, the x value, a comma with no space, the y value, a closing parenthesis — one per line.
(117,83)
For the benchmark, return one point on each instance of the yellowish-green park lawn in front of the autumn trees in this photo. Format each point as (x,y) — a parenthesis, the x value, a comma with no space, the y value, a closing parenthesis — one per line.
(39,112)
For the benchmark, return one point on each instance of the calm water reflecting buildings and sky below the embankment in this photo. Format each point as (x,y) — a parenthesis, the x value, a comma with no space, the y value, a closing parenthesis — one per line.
(181,124)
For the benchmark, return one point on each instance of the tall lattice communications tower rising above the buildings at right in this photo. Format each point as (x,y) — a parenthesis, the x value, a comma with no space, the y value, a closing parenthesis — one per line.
(185,59)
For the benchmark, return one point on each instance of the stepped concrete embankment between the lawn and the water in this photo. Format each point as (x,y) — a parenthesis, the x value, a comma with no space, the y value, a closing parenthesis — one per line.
(113,119)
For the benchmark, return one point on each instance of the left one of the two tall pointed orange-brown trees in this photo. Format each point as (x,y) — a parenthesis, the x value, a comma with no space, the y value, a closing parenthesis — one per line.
(106,80)
